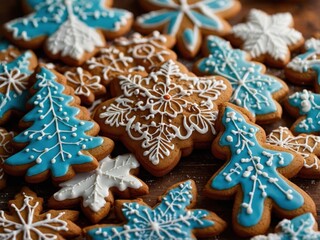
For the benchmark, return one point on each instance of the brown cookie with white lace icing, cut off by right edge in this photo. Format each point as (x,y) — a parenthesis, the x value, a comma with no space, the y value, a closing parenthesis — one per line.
(307,145)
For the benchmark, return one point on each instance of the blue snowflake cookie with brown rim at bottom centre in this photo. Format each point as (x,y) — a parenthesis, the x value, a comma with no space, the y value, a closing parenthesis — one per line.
(172,218)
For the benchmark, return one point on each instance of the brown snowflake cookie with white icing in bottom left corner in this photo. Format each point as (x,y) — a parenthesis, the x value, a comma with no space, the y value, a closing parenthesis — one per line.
(26,220)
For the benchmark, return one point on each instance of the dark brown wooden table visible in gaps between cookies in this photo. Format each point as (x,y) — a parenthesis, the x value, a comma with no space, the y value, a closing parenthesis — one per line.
(200,165)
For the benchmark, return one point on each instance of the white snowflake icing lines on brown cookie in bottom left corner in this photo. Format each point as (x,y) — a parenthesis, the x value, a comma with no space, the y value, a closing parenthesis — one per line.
(27,224)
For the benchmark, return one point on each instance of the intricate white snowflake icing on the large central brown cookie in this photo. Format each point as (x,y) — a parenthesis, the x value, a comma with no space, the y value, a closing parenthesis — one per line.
(165,93)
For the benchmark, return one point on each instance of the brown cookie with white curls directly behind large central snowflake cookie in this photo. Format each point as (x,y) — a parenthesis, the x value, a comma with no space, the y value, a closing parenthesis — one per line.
(126,55)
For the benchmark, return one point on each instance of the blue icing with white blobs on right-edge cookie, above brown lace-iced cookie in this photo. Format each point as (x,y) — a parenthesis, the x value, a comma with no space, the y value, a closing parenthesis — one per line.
(308,104)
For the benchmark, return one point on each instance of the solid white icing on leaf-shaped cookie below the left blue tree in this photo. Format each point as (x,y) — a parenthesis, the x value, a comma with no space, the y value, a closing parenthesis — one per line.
(93,187)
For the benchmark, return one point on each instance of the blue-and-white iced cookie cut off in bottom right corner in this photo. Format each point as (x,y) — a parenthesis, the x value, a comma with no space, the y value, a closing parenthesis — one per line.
(303,227)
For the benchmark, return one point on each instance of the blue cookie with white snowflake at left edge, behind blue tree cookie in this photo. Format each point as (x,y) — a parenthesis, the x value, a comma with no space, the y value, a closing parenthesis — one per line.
(14,82)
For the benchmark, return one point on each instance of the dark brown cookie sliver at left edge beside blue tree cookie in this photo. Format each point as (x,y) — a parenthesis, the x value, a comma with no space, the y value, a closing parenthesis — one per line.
(6,150)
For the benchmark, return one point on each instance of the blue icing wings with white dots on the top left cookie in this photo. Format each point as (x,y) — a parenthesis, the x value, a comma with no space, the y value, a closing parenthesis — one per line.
(49,16)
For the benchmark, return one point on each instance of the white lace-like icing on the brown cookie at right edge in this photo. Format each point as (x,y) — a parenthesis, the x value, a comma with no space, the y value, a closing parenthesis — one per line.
(304,145)
